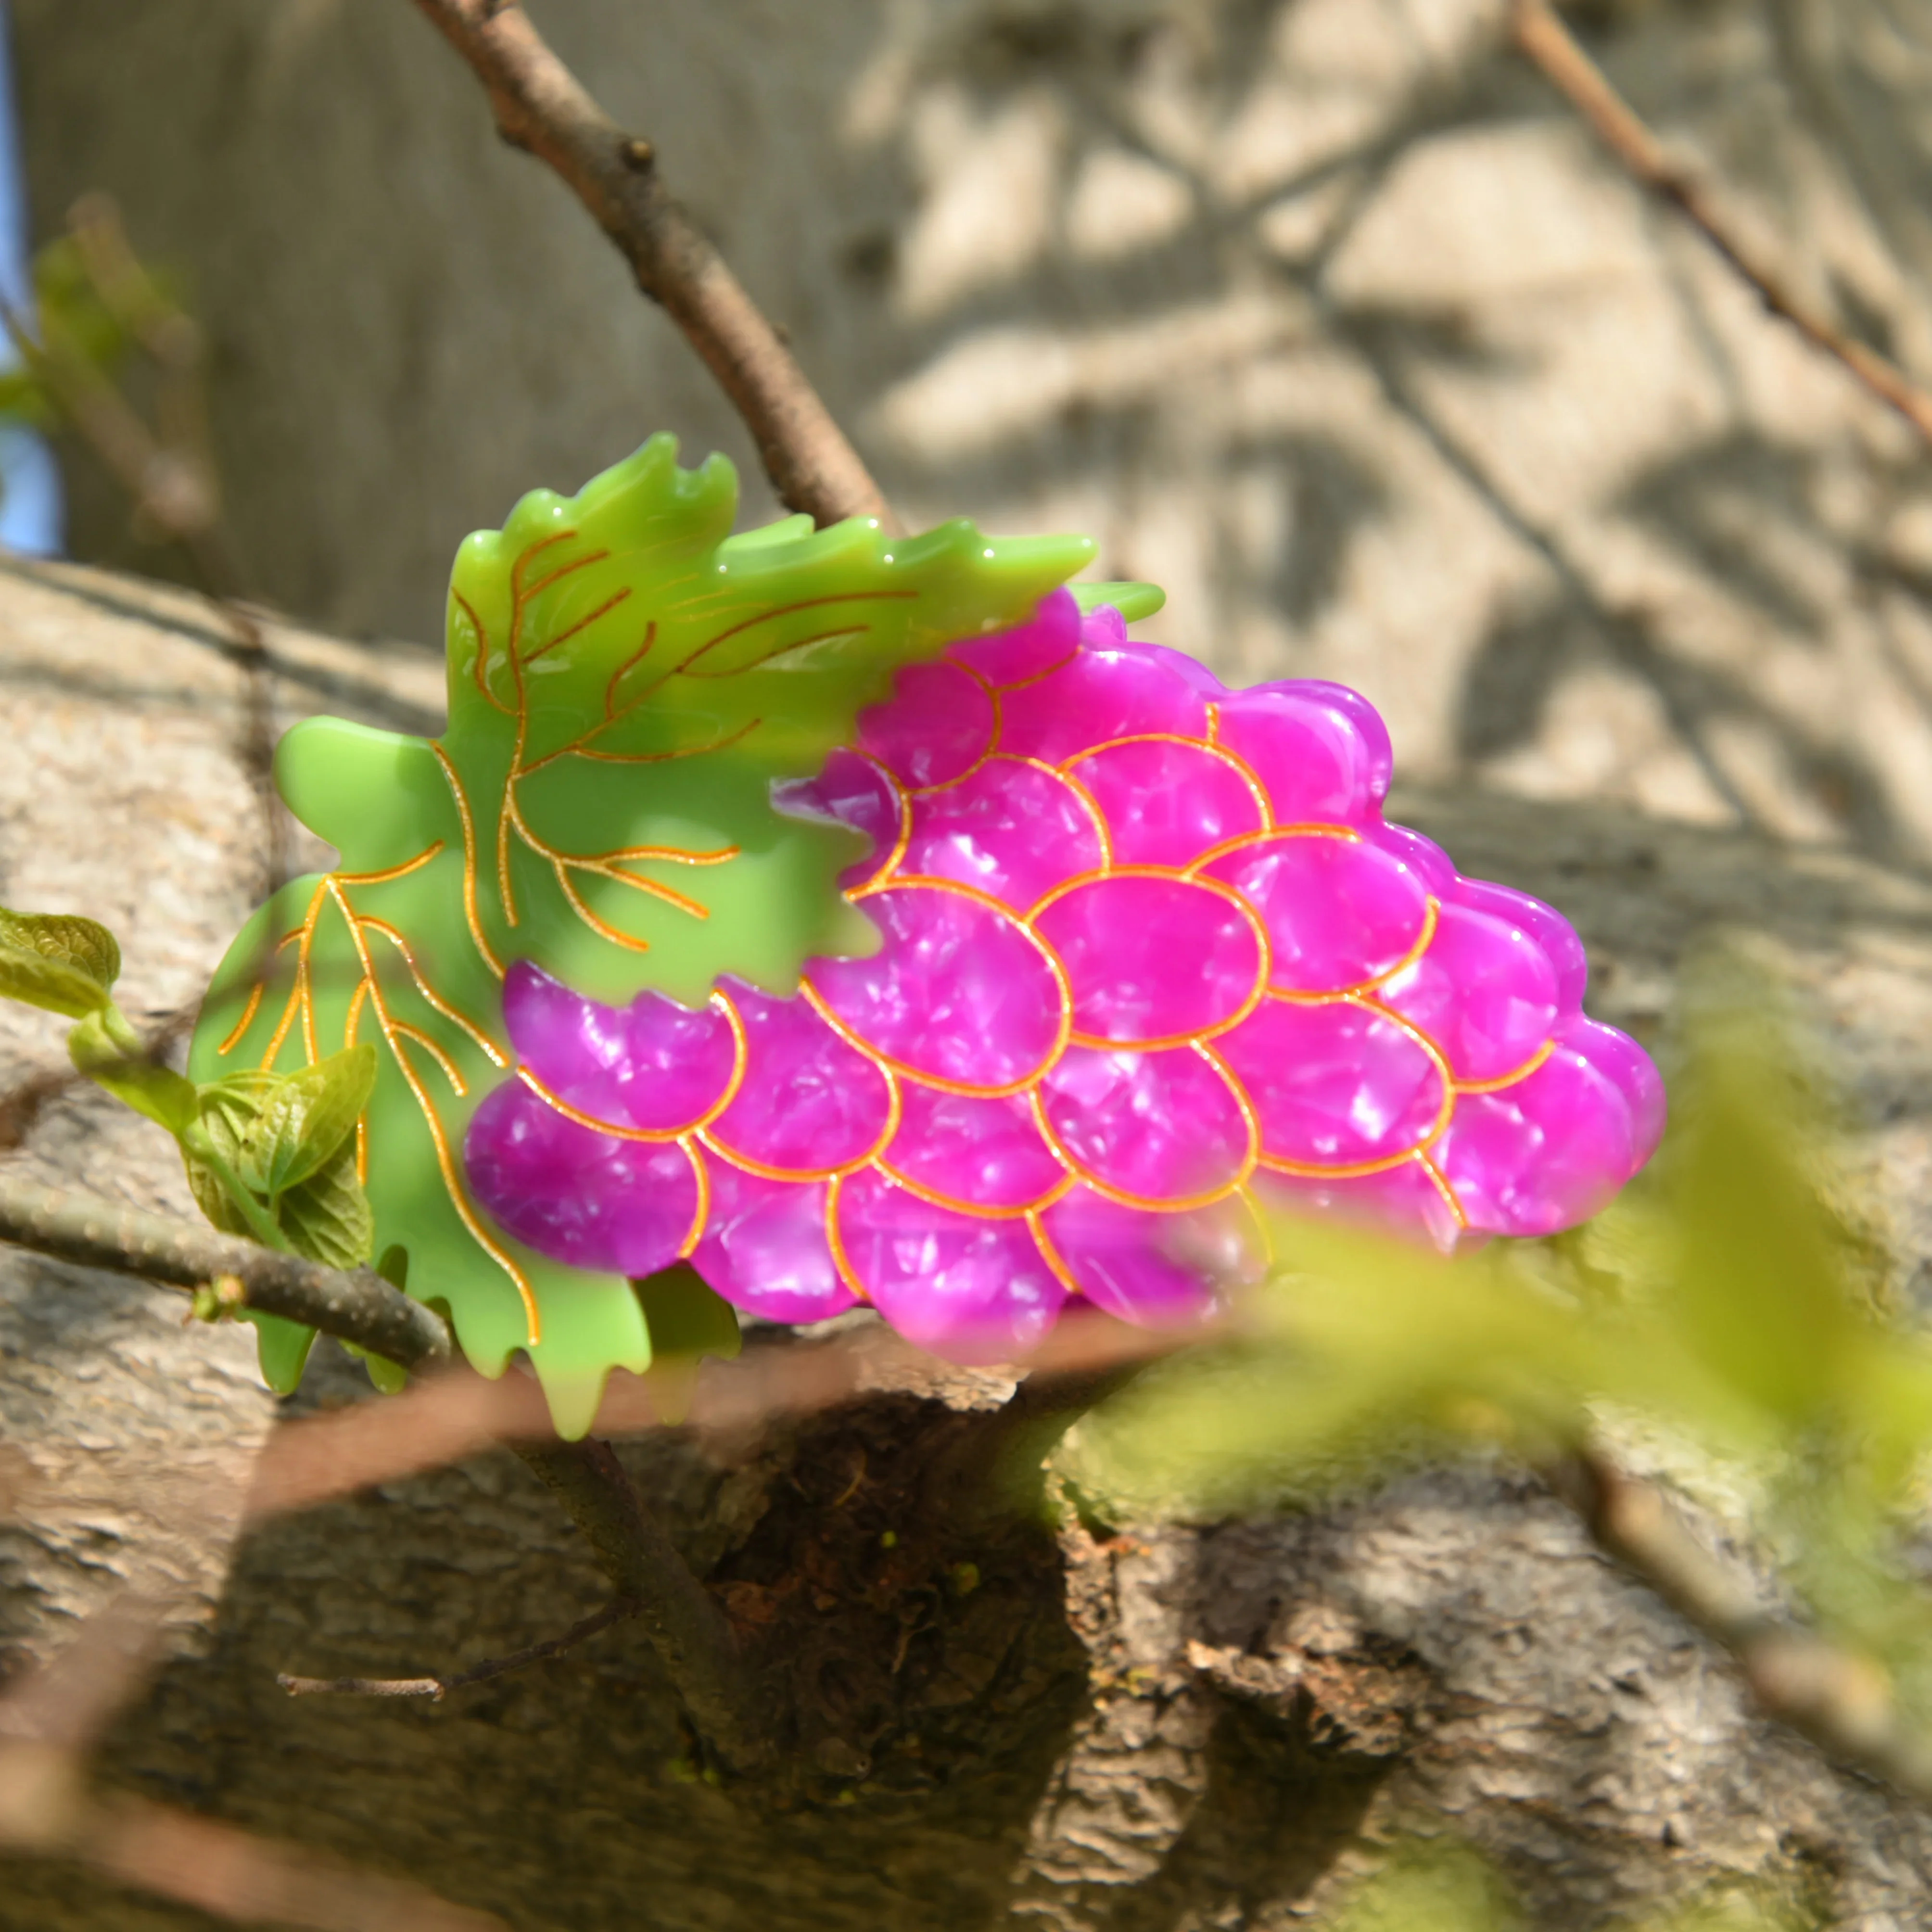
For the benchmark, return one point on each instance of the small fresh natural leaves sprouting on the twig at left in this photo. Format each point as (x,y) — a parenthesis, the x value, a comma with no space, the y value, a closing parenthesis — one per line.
(268,1156)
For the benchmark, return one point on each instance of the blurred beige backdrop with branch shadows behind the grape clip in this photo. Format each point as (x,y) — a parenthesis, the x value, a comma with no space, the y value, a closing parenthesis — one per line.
(1324,314)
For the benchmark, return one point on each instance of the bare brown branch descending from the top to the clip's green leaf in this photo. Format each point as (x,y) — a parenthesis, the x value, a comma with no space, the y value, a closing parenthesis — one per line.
(542,107)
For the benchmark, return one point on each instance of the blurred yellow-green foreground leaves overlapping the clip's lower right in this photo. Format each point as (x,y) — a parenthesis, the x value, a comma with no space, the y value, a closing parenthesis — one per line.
(1724,1321)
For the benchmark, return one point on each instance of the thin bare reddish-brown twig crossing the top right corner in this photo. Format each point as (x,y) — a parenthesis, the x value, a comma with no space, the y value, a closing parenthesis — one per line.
(1554,51)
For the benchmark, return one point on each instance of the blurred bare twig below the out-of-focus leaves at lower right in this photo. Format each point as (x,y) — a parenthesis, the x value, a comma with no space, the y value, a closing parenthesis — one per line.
(1831,1695)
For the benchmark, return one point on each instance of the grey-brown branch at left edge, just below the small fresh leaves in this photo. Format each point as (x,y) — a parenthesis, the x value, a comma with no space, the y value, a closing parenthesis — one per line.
(96,1234)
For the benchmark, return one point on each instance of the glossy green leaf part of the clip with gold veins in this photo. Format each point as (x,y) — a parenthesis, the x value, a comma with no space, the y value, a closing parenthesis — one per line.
(627,683)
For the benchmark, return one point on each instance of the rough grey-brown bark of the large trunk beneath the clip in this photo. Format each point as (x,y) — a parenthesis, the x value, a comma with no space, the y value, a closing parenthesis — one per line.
(1006,1709)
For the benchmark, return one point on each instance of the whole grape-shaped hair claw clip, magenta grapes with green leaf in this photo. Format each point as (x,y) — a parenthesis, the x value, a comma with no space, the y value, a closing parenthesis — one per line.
(853,919)
